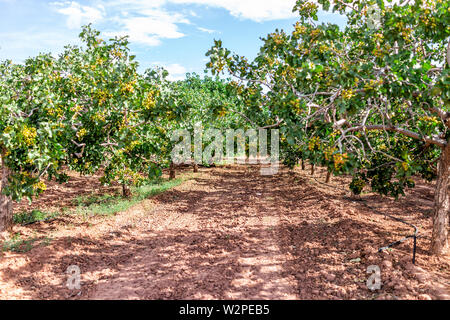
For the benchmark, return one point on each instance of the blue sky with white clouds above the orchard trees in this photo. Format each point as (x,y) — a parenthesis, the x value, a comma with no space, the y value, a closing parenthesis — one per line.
(174,34)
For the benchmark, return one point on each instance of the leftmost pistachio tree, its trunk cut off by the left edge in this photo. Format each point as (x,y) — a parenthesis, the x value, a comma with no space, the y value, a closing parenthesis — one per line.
(32,141)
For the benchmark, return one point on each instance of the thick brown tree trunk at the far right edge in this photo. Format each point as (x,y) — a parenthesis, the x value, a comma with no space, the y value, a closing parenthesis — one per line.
(439,240)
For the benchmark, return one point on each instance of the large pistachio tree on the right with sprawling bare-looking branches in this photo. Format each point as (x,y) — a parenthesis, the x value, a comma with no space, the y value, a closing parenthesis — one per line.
(371,99)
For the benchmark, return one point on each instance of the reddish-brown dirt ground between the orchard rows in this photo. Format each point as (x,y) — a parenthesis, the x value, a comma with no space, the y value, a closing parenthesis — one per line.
(230,233)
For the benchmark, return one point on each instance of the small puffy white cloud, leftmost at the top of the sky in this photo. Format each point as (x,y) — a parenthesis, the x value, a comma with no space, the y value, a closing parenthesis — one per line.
(77,14)
